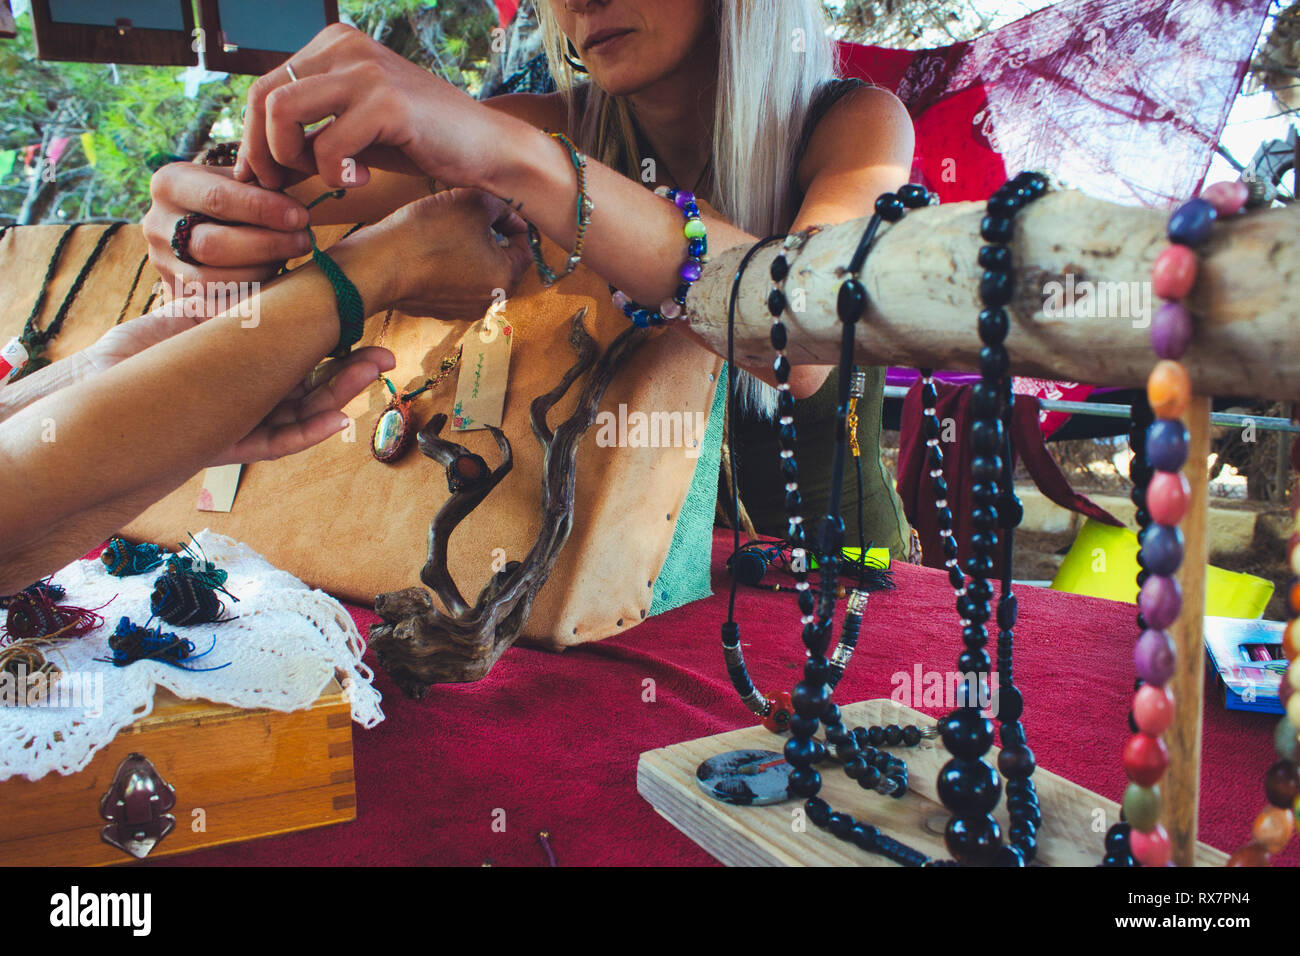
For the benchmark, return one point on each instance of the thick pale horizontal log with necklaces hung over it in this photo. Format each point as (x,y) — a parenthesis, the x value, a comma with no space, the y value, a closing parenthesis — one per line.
(922,282)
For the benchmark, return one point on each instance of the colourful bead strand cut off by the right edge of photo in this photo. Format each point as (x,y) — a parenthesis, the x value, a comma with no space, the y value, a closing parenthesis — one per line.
(1276,824)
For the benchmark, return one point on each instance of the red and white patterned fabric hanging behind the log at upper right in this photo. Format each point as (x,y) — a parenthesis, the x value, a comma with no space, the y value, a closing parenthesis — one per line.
(1087,90)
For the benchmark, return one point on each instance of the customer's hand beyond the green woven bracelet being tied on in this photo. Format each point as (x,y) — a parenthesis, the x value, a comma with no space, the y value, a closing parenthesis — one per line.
(447,258)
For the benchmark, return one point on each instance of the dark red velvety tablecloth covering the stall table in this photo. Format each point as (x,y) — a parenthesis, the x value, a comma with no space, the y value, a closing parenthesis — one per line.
(551,742)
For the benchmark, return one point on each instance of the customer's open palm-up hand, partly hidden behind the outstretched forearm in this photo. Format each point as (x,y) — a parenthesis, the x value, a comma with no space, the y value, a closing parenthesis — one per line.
(310,413)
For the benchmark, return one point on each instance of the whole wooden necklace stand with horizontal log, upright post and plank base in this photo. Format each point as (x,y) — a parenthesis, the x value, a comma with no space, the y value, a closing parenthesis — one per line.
(921,310)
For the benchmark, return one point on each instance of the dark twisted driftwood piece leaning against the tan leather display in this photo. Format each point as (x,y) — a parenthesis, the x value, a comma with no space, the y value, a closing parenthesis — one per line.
(421,644)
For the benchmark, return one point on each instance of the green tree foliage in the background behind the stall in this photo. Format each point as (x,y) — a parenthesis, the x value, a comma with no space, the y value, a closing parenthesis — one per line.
(136,118)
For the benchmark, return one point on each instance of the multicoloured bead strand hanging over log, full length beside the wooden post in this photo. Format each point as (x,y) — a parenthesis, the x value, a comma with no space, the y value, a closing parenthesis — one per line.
(1169,390)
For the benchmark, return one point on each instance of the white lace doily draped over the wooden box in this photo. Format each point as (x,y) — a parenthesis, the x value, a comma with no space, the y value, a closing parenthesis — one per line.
(285,646)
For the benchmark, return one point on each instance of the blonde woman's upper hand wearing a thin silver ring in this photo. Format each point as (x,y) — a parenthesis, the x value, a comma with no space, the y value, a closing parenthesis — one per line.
(387,113)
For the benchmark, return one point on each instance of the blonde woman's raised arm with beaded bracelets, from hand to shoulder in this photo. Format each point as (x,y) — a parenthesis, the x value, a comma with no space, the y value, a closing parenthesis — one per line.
(392,115)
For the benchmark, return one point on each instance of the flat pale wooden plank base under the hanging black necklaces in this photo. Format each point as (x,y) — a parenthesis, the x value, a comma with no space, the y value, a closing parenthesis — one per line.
(1074,820)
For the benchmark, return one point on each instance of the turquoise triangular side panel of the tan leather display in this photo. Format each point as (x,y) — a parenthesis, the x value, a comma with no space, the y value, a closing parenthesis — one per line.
(684,577)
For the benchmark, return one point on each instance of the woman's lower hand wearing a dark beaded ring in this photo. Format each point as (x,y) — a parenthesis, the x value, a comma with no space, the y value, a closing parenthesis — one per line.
(272,226)
